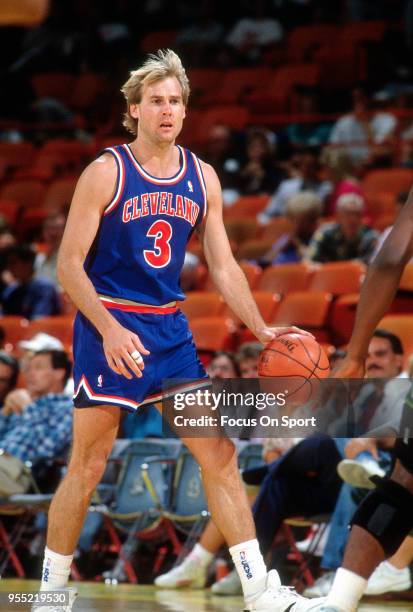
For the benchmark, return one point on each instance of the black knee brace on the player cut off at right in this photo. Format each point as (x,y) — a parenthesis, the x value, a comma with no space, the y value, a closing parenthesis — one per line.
(386,514)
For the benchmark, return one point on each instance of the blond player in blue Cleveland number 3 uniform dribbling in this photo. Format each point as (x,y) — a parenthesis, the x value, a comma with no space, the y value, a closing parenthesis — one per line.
(132,214)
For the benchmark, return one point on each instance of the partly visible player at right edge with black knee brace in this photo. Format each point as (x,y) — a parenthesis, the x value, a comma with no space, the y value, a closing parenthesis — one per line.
(385,517)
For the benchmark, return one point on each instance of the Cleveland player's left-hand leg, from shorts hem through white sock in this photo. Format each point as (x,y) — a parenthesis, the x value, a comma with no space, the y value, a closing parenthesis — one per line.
(94,432)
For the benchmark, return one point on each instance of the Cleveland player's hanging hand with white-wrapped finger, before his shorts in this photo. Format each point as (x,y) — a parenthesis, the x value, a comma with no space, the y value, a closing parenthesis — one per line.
(119,344)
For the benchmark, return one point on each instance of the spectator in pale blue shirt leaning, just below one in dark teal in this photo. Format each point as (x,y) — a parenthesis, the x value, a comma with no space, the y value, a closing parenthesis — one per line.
(305,178)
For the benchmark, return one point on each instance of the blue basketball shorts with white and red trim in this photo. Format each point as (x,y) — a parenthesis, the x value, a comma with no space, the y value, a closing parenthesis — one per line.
(173,355)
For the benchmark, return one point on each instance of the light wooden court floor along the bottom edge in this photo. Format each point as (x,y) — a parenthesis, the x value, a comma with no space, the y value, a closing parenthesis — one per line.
(94,597)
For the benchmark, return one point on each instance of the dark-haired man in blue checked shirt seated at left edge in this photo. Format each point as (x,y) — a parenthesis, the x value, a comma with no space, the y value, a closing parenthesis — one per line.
(44,428)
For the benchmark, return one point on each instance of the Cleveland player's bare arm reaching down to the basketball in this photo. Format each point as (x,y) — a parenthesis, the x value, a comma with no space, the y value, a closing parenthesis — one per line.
(225,271)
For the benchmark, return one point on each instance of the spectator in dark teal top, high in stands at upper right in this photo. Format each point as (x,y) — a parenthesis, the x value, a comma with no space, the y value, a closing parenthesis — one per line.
(307,132)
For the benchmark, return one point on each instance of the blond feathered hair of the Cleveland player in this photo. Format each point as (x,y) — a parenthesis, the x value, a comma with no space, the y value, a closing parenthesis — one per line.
(160,65)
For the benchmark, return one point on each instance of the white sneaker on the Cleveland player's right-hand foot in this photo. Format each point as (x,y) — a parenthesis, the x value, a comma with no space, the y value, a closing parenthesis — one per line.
(276,598)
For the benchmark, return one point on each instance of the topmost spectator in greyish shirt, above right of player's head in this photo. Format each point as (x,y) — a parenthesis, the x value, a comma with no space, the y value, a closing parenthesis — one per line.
(251,35)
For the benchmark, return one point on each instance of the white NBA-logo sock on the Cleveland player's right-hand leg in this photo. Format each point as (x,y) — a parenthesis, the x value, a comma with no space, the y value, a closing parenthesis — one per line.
(250,566)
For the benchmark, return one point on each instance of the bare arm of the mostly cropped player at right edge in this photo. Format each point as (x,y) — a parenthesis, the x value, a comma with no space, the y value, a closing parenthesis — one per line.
(379,289)
